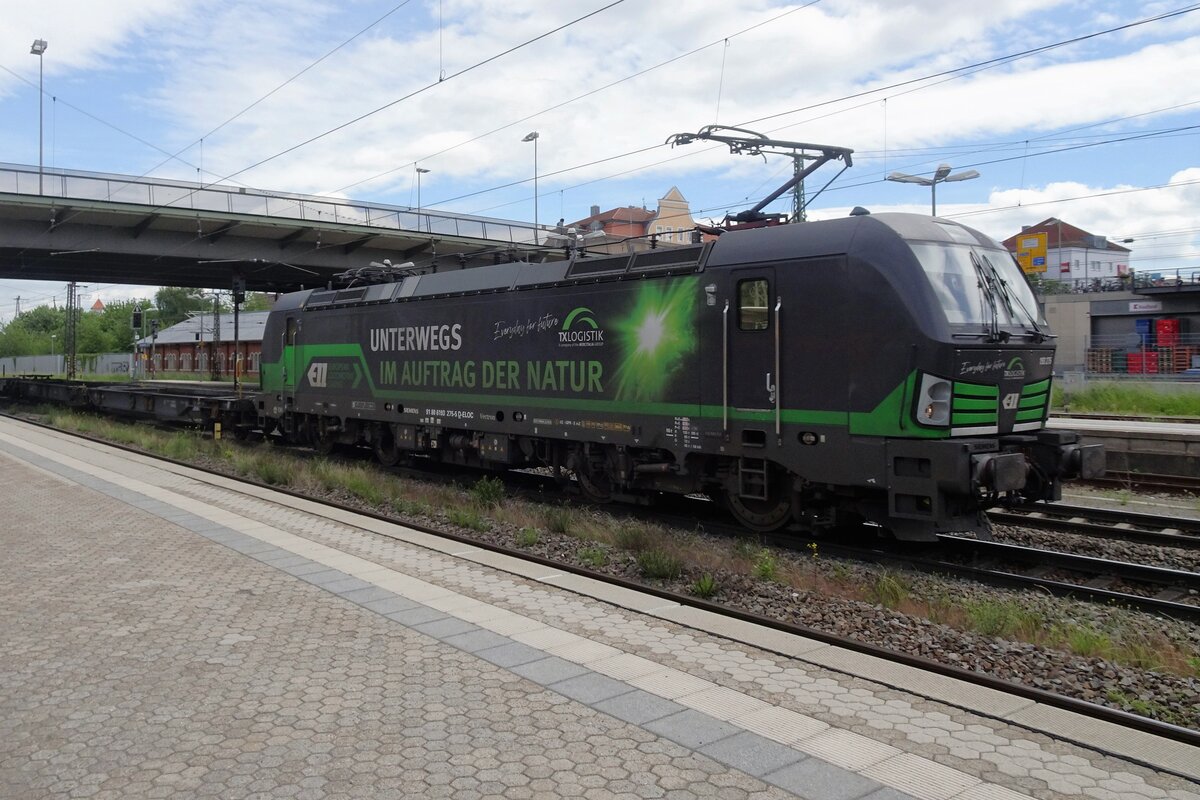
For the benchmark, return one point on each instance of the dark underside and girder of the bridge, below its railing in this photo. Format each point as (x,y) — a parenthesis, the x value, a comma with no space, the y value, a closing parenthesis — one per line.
(98,242)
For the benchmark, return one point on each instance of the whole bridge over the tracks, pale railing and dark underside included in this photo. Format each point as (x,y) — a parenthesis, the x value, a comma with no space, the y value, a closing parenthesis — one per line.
(59,225)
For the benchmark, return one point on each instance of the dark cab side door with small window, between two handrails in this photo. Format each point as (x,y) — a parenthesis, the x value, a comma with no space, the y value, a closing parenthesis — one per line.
(753,341)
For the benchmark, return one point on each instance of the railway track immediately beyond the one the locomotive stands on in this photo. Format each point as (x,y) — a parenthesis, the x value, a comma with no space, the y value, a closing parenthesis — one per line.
(1105,524)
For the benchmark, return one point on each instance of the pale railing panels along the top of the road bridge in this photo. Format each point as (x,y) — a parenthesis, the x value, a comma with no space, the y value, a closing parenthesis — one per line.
(74,185)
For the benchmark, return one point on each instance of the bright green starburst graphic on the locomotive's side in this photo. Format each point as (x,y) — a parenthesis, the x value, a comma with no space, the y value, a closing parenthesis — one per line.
(655,339)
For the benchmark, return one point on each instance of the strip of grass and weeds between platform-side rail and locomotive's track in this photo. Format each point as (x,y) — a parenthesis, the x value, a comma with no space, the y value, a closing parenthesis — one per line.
(601,542)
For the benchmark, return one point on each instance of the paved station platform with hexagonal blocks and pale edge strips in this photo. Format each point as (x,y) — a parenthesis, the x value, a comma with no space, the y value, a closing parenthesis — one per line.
(169,634)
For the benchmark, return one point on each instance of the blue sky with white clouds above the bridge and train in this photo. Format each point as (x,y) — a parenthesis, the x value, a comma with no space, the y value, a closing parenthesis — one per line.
(1078,110)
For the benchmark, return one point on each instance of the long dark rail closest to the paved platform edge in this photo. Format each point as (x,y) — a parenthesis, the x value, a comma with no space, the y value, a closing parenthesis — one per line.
(1093,711)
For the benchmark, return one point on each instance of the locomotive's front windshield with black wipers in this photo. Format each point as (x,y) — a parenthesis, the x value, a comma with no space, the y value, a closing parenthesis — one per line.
(979,286)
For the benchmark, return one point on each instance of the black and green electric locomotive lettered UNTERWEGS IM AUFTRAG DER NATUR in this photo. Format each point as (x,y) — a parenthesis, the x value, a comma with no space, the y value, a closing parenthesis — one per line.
(886,370)
